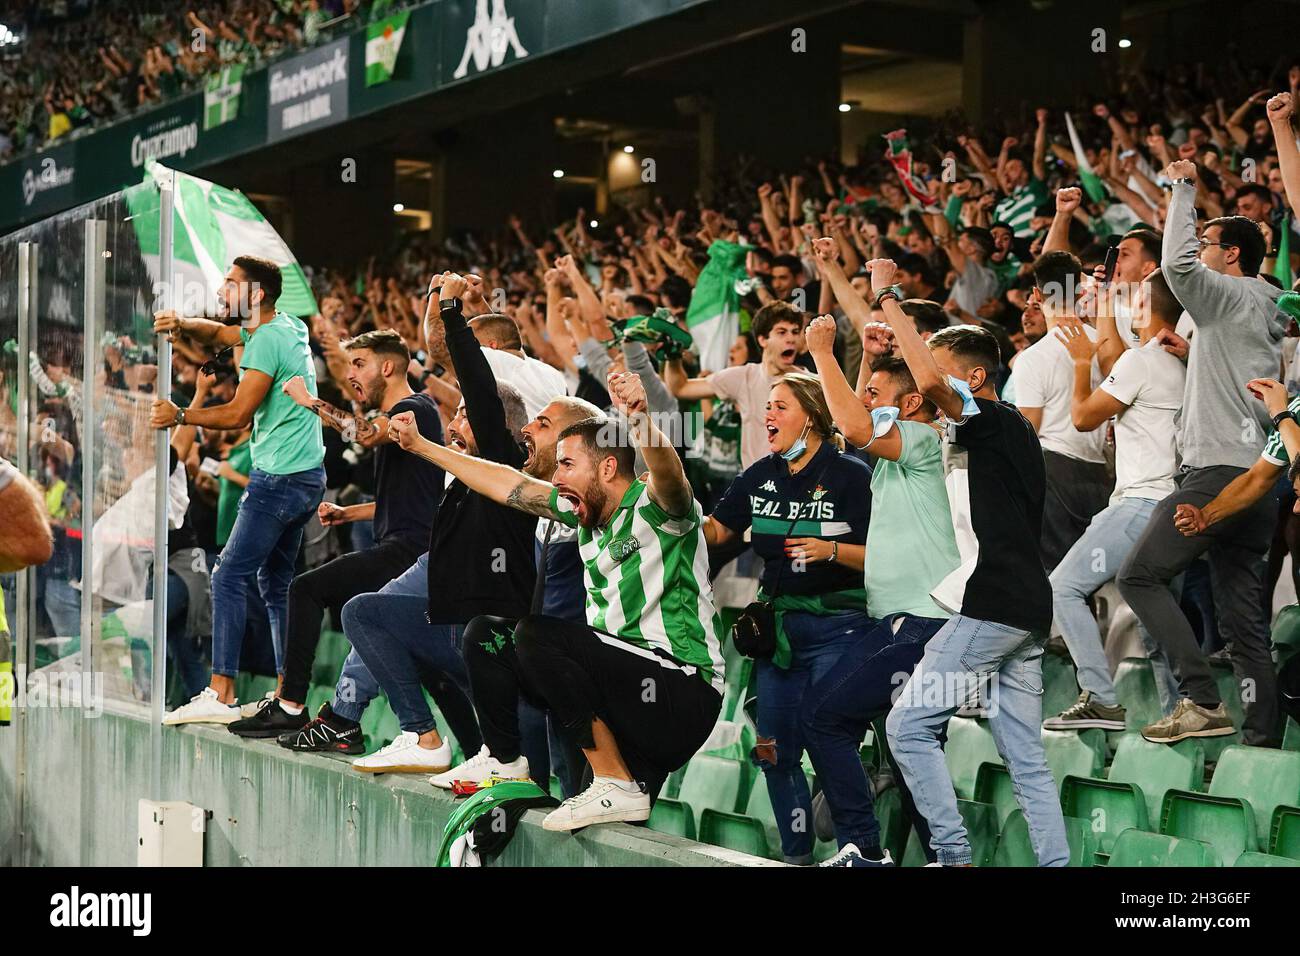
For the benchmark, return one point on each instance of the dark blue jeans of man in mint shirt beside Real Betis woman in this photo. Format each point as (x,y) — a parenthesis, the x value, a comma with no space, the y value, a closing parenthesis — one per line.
(839,708)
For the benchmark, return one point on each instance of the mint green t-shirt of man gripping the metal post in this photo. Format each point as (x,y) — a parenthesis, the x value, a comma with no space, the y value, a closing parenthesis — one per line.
(287,438)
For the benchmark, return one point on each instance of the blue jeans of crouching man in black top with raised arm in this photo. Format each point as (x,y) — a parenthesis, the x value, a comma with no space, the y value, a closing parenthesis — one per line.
(392,637)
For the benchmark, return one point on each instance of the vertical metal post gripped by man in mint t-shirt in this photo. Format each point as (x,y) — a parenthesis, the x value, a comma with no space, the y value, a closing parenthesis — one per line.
(162,473)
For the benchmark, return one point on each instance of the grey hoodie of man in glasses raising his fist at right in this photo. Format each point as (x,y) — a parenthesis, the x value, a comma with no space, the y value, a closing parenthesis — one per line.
(1238,338)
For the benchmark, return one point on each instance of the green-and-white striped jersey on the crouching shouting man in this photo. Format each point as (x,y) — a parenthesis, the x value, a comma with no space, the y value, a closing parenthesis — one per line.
(648,581)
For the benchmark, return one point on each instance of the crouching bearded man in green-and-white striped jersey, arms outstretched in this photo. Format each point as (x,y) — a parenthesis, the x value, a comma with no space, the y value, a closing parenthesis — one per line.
(639,686)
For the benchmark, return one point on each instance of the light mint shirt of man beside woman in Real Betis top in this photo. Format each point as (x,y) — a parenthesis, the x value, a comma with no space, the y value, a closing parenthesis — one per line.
(911,540)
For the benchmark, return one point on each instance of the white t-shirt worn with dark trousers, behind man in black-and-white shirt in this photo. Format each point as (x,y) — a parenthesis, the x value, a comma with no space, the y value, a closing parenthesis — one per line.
(1045,379)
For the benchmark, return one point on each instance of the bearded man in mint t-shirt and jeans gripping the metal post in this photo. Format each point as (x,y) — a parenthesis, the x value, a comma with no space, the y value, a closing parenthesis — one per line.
(288,475)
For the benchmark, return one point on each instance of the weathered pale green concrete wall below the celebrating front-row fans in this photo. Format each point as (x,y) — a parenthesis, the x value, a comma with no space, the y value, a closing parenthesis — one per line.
(270,807)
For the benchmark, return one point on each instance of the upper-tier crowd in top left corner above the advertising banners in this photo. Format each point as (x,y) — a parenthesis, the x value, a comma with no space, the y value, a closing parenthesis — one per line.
(86,63)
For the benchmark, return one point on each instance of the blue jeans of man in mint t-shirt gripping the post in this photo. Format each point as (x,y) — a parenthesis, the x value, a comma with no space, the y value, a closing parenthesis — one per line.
(263,548)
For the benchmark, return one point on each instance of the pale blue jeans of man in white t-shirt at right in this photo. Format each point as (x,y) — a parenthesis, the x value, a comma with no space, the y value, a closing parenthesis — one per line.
(1095,560)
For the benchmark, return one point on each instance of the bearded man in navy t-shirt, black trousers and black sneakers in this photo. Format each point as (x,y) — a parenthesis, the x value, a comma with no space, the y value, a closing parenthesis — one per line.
(406,498)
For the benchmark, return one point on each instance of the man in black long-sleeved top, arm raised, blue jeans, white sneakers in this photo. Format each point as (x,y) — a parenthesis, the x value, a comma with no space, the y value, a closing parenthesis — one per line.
(480,561)
